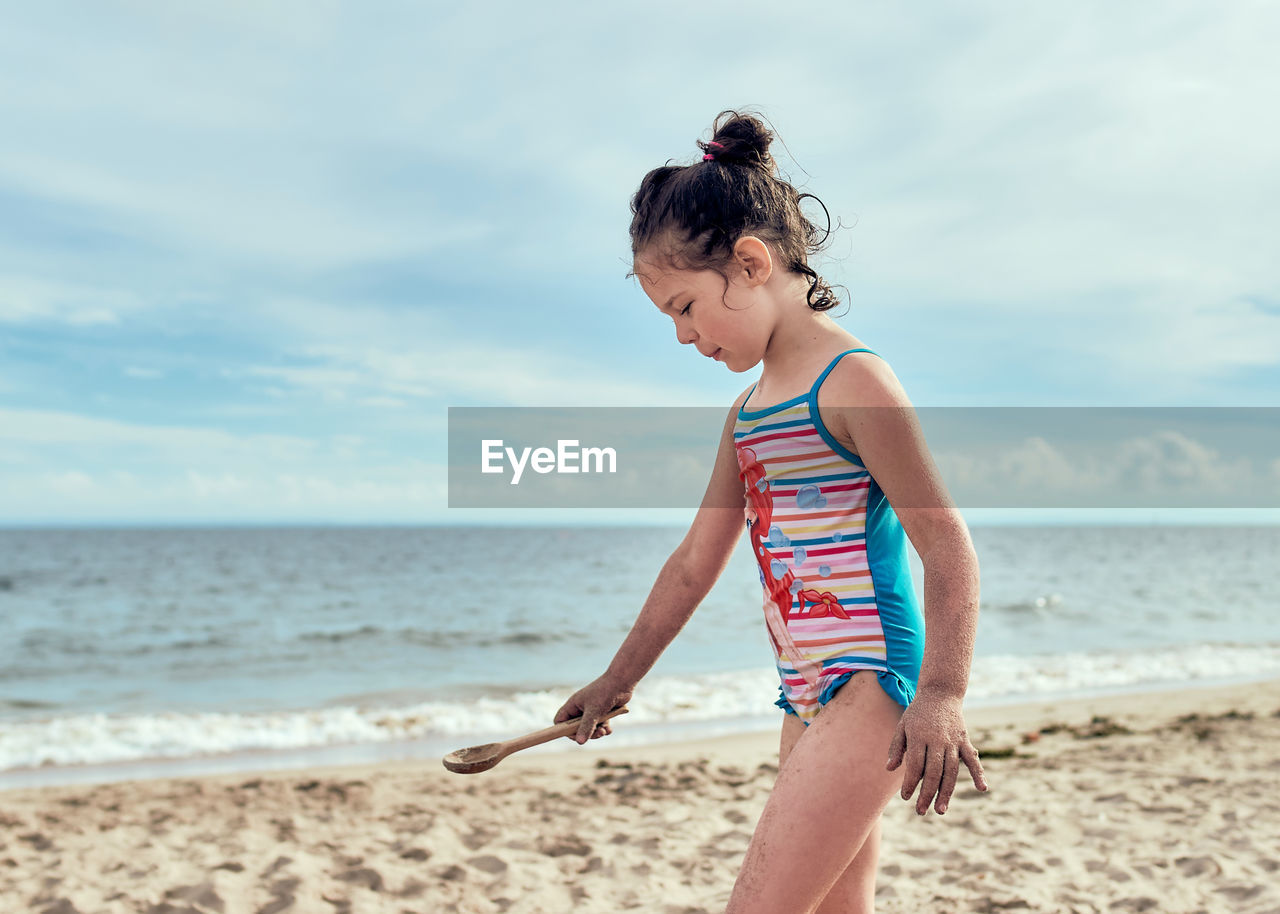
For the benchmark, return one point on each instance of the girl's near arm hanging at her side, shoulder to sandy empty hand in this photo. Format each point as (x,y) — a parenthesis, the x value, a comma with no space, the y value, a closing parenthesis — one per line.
(871,412)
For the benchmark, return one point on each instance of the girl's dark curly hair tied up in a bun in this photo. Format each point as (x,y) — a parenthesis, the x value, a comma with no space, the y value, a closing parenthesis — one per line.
(692,216)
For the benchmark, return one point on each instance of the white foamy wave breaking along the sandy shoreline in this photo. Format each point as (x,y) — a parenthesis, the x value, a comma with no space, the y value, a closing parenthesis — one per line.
(744,696)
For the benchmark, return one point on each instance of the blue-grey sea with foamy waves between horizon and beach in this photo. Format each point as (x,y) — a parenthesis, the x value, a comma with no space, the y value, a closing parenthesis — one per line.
(130,653)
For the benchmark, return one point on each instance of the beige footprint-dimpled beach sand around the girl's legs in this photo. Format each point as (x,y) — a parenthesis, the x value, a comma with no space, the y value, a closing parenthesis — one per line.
(1163,802)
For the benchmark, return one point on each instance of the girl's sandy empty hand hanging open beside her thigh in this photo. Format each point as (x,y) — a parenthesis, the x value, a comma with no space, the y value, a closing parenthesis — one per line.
(934,741)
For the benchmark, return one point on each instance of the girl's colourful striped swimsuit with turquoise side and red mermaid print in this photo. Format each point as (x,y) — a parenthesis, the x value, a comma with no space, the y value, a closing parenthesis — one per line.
(833,557)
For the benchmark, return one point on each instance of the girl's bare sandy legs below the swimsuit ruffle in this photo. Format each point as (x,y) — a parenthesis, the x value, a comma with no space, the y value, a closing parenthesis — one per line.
(826,806)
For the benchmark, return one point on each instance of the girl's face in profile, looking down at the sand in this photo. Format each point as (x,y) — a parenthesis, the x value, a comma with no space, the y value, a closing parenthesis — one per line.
(730,326)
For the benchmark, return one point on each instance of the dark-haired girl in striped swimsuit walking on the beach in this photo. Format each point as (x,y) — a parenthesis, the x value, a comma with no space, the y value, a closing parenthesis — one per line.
(815,454)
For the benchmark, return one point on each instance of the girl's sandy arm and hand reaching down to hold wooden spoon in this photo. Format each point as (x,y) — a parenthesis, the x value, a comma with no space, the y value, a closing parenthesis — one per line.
(682,586)
